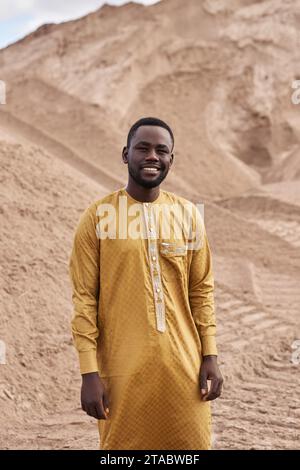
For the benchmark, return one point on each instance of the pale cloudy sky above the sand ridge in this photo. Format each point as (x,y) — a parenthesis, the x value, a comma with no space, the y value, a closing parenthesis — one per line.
(20,17)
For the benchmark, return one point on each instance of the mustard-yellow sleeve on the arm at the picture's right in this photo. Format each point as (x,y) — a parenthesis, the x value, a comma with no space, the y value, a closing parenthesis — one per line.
(201,295)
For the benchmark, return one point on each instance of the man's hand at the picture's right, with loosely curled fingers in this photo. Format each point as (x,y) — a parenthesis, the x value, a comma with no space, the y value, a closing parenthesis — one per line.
(210,371)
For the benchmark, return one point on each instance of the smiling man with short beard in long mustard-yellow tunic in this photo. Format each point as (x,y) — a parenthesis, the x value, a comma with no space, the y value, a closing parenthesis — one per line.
(144,322)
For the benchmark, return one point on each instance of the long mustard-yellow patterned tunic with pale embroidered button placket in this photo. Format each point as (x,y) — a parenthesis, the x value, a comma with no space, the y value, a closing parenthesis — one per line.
(143,318)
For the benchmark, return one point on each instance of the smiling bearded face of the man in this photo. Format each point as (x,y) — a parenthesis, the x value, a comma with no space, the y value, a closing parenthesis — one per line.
(149,156)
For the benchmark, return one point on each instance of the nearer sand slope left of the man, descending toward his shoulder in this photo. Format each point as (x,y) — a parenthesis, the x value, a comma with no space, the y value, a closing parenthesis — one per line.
(43,199)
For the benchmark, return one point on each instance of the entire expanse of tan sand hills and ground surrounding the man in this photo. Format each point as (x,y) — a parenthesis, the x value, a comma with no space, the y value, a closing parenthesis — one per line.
(220,73)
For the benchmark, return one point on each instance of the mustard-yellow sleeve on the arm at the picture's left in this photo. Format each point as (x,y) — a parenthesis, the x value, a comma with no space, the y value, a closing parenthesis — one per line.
(84,274)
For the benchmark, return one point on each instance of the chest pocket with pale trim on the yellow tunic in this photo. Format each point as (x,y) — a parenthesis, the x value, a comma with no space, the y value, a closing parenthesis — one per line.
(173,258)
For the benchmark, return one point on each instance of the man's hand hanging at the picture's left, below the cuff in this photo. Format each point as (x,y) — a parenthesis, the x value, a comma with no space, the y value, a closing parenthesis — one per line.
(94,399)
